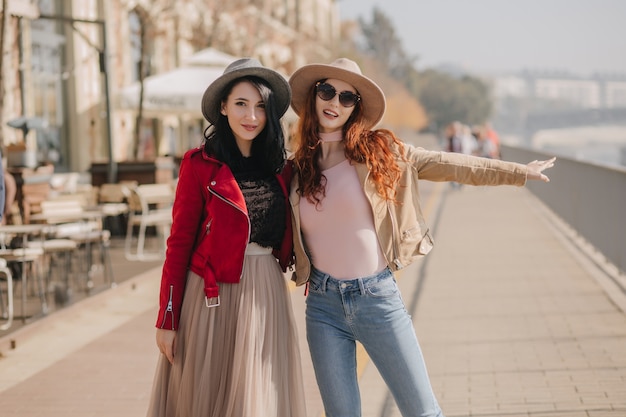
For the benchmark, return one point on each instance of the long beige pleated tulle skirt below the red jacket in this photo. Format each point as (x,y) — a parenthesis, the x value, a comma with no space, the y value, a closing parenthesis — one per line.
(240,359)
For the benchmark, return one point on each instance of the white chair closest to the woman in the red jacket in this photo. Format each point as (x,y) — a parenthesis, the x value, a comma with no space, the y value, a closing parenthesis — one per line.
(149,205)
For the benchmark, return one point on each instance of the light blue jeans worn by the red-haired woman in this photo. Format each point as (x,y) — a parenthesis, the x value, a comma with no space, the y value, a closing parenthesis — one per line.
(369,310)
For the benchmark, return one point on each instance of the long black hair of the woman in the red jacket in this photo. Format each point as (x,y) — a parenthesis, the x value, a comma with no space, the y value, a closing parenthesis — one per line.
(268,148)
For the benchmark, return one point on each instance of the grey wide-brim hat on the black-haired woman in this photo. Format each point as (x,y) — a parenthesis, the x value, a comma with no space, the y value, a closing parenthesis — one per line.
(211,100)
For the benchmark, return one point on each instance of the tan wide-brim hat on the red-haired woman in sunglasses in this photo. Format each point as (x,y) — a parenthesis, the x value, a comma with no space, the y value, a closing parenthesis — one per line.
(372,97)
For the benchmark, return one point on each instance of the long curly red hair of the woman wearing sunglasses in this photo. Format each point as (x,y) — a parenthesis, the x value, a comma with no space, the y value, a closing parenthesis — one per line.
(378,149)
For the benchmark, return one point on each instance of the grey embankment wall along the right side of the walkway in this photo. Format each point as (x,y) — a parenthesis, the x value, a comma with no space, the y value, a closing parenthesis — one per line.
(590,198)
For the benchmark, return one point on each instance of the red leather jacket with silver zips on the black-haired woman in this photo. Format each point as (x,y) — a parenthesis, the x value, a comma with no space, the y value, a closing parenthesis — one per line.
(210,232)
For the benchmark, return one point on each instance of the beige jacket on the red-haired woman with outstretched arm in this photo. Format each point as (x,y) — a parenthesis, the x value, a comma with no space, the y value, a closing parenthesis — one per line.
(401,229)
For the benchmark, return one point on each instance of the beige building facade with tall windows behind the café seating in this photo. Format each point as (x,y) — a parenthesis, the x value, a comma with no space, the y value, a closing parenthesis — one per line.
(67,66)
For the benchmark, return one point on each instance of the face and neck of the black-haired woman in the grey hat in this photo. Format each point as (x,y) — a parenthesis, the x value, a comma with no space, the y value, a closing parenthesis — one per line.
(245,110)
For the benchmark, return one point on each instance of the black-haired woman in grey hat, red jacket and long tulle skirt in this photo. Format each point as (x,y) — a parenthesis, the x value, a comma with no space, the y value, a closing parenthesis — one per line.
(225,326)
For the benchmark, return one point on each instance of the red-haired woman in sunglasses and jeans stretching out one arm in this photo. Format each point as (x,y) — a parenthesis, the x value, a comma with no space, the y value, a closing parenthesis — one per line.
(356,210)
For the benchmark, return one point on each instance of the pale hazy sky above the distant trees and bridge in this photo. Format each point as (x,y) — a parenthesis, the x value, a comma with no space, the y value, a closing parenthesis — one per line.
(579,36)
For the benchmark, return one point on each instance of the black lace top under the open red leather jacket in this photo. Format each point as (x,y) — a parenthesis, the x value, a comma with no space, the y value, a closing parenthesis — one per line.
(265,202)
